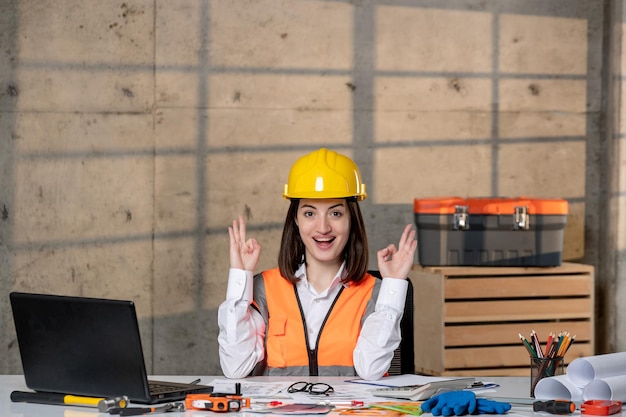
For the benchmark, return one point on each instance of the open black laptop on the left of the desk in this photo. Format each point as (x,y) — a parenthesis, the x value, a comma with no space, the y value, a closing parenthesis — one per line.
(87,346)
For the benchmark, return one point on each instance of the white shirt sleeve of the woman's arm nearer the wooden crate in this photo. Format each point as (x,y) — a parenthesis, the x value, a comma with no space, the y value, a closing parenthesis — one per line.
(381,335)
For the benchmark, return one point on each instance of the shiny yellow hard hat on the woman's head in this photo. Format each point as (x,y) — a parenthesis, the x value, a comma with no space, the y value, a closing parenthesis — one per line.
(324,174)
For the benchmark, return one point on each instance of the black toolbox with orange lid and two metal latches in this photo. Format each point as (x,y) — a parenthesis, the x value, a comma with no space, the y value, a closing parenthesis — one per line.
(490,231)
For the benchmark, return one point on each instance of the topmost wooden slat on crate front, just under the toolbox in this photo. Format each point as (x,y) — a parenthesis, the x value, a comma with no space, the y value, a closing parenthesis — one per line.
(515,287)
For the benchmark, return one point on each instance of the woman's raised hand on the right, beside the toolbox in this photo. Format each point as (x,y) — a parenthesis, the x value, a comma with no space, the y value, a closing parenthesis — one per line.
(397,262)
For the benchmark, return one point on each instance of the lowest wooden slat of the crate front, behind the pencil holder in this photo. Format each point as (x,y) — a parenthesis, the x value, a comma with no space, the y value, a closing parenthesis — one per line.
(502,356)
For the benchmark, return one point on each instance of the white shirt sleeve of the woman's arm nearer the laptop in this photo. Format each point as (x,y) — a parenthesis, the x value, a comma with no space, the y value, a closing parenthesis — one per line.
(241,328)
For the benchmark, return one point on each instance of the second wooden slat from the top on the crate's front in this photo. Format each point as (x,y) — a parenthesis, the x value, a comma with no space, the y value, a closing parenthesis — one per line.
(526,310)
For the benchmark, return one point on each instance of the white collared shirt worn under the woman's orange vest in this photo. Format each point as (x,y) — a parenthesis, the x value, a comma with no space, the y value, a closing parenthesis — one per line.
(242,329)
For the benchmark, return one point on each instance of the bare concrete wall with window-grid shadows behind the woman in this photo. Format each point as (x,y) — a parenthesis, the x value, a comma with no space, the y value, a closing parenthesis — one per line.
(132,132)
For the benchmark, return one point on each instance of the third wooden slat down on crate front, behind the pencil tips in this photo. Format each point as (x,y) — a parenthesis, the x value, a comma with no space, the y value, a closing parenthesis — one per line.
(507,333)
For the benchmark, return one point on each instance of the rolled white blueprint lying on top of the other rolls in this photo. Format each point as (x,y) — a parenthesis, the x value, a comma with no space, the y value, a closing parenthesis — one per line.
(582,371)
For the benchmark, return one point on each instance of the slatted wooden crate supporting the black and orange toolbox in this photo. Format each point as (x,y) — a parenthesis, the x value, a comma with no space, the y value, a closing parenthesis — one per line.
(468,319)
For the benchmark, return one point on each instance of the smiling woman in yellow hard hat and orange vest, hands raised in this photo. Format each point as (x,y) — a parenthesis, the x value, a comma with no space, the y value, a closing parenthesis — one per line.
(319,312)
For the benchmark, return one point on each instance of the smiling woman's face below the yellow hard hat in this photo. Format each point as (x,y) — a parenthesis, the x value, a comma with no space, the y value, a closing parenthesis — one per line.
(324,228)
